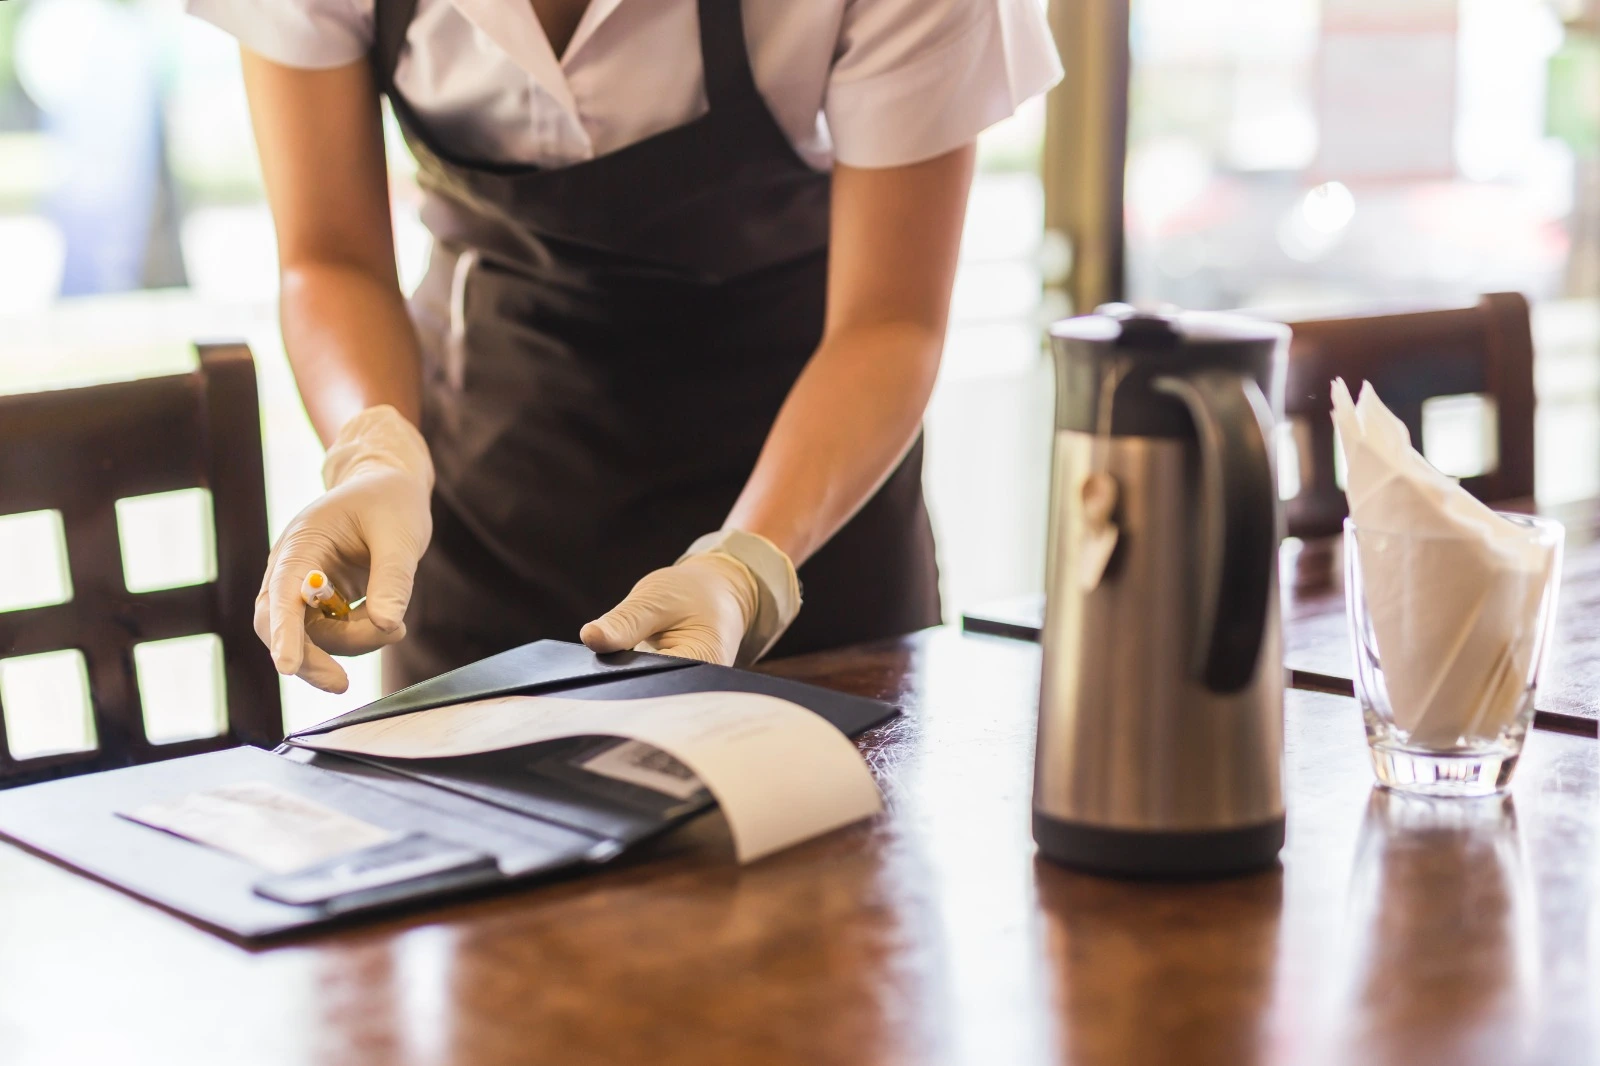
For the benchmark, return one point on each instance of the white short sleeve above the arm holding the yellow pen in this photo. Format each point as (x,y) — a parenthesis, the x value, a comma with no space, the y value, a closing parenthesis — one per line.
(311,34)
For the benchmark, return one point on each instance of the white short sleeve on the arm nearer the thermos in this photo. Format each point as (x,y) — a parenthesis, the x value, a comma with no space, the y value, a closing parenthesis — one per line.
(914,79)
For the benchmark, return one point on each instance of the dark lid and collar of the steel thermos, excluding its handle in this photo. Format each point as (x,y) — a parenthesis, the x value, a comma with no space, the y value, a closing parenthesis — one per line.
(1129,350)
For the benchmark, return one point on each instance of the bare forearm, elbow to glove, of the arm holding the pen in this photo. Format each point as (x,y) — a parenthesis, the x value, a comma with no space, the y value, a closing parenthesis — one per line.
(350,342)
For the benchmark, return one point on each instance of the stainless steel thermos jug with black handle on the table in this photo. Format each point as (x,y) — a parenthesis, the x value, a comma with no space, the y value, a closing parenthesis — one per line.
(1161,719)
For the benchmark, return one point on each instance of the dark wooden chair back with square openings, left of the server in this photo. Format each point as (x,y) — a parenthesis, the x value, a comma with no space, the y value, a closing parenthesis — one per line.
(129,636)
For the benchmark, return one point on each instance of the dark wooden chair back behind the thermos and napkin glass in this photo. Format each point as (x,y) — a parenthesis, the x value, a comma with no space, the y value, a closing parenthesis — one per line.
(1486,350)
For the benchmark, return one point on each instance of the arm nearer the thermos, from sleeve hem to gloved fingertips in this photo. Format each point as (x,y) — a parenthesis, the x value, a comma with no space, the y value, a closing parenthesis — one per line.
(841,433)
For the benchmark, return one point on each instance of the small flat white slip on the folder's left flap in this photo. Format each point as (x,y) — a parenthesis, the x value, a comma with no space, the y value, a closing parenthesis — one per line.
(263,825)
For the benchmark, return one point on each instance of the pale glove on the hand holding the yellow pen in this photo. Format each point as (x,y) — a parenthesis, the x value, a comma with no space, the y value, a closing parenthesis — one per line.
(367,534)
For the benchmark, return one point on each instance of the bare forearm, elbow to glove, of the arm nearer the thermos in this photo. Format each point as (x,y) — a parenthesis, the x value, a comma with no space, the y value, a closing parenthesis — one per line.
(842,431)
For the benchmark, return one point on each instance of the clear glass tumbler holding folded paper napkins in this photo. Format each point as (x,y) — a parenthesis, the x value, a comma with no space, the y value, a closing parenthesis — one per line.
(1450,635)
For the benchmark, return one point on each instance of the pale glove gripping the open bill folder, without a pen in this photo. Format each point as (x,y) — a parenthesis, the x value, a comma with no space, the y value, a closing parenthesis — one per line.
(727,601)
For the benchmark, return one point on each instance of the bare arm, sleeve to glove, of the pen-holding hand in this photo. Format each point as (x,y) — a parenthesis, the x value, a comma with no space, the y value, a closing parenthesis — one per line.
(345,321)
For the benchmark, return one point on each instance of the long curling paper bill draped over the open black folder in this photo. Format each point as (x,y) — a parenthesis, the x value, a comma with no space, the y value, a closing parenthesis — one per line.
(782,774)
